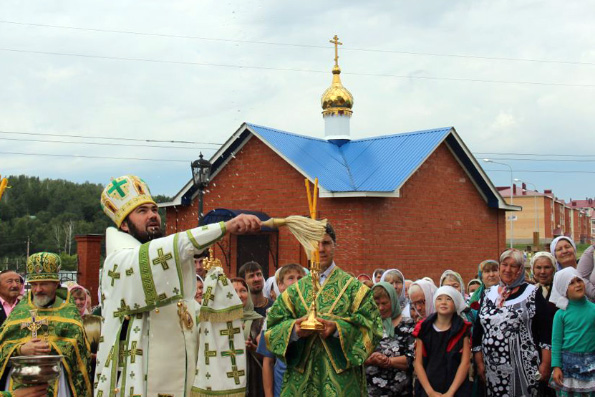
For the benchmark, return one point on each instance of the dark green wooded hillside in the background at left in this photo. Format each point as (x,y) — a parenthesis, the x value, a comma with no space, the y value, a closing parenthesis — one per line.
(46,215)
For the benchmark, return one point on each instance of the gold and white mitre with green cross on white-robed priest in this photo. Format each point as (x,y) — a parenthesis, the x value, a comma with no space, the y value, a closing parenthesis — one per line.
(122,195)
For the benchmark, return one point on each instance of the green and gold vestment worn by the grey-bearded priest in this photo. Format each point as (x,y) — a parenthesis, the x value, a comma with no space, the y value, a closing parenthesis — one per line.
(64,333)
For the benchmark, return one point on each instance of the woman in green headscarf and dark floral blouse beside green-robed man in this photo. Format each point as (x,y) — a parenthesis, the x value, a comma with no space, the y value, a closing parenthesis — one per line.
(388,369)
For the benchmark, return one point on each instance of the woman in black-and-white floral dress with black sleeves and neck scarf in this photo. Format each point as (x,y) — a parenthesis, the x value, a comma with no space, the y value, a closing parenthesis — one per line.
(511,331)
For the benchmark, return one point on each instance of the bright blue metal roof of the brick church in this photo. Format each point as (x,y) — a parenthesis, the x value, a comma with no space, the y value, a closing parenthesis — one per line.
(380,164)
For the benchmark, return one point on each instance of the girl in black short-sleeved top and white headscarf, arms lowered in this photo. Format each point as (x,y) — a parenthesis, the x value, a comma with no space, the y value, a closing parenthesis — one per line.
(442,353)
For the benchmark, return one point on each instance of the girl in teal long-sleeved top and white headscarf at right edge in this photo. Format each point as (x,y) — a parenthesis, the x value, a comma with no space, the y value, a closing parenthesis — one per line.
(573,339)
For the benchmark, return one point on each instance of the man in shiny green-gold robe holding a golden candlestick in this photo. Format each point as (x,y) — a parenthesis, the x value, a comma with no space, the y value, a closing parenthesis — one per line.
(328,362)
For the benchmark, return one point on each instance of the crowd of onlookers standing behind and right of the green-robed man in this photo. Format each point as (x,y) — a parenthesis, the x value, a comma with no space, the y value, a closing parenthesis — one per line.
(523,327)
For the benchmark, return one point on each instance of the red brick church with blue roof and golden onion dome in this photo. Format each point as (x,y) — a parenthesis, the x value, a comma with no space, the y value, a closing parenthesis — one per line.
(417,201)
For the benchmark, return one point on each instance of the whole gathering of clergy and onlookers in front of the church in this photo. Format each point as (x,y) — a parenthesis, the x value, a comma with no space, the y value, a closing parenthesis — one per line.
(522,327)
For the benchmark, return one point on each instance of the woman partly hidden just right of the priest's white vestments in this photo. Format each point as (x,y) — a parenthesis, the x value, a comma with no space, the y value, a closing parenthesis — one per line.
(252,323)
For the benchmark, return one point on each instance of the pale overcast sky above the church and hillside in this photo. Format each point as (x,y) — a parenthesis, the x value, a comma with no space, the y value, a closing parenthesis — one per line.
(513,77)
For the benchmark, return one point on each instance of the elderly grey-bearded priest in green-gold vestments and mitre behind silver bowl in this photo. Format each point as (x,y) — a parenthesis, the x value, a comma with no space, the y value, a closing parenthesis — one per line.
(46,322)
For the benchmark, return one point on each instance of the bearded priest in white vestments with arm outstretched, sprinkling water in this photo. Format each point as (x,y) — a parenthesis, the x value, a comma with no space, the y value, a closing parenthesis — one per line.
(148,344)
